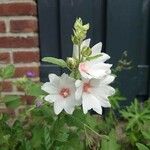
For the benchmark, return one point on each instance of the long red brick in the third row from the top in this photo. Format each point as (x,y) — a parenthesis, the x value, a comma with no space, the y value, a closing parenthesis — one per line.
(18,42)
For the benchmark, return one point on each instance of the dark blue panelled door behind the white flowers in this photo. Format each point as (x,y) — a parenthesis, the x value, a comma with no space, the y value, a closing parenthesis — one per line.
(120,25)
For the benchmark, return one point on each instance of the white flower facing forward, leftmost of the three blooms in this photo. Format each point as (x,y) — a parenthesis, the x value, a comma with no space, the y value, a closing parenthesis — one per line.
(62,92)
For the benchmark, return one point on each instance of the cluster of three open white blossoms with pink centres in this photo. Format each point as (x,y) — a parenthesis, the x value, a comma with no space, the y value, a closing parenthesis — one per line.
(91,90)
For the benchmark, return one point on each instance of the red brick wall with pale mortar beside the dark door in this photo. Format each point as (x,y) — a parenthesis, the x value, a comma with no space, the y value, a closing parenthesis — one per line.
(19,39)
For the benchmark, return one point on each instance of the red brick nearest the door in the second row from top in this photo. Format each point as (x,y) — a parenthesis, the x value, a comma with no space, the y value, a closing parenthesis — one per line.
(23,26)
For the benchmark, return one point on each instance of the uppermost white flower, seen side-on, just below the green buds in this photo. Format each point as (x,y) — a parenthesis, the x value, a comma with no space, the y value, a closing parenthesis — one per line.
(95,68)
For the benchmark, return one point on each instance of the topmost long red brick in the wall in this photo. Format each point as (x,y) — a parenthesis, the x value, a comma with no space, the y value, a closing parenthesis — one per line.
(18,9)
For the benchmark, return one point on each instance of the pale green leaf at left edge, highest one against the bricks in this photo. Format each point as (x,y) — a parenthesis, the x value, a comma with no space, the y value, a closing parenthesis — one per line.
(7,72)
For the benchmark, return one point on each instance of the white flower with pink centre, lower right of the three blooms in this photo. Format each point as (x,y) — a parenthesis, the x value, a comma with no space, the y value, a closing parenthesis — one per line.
(94,93)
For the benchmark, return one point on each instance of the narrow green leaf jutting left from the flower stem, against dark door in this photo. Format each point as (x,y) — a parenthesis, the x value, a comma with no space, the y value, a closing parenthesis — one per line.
(56,61)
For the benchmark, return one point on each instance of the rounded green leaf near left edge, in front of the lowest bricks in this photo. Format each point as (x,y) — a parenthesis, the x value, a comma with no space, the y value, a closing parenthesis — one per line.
(12,101)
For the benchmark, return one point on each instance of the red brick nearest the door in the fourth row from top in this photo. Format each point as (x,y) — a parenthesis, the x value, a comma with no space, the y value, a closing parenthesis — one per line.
(25,57)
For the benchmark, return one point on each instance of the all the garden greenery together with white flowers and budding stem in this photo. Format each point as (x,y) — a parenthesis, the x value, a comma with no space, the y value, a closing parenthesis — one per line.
(78,110)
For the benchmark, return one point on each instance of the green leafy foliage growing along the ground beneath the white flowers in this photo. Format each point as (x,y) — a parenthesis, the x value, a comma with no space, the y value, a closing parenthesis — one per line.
(37,127)
